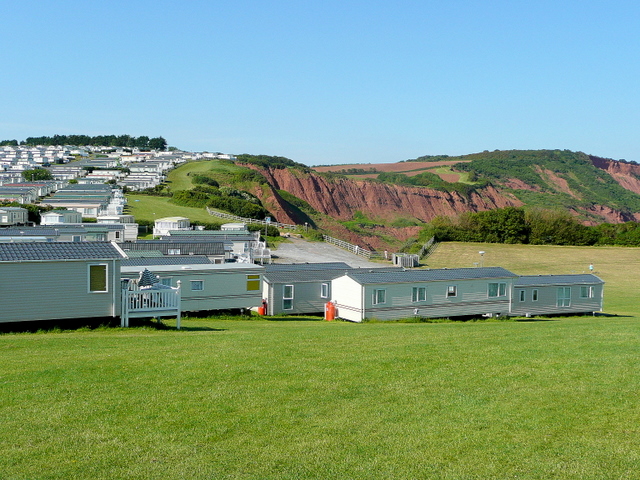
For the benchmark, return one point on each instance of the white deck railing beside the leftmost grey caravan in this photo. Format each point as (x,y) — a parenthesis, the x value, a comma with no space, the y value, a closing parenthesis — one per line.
(149,303)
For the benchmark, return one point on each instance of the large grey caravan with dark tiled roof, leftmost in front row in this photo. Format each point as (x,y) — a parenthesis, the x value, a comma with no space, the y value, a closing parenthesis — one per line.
(59,280)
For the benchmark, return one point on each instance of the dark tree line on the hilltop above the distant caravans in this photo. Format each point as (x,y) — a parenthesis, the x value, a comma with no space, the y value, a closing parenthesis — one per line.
(143,142)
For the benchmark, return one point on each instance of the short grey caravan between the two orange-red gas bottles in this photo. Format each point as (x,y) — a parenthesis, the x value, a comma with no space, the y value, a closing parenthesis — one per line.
(300,288)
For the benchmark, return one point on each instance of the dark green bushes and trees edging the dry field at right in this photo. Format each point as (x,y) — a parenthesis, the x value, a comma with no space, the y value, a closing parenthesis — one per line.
(530,226)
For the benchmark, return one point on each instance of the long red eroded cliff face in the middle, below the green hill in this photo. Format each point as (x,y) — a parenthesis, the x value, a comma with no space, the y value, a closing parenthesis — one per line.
(340,198)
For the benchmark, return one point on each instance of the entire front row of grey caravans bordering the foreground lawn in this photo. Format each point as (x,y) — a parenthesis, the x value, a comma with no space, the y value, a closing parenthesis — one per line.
(71,280)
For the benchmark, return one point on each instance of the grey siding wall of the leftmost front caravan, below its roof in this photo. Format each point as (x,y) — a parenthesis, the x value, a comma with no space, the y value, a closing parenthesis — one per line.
(55,290)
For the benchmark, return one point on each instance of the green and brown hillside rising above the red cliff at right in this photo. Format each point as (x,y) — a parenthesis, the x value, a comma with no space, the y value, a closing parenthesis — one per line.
(539,178)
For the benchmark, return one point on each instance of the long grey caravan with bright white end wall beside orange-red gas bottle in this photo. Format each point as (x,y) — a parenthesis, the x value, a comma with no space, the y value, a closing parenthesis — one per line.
(389,295)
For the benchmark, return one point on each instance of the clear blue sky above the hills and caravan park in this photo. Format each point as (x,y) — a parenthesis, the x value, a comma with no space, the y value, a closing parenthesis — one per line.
(326,82)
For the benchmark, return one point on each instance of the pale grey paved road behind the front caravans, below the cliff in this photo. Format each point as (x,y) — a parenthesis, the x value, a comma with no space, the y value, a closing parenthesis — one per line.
(300,251)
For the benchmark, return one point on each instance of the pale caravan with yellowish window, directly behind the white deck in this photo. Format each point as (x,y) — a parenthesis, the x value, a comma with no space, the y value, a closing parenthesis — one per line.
(209,286)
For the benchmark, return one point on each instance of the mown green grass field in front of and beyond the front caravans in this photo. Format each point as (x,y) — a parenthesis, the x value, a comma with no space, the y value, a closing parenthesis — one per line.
(299,399)
